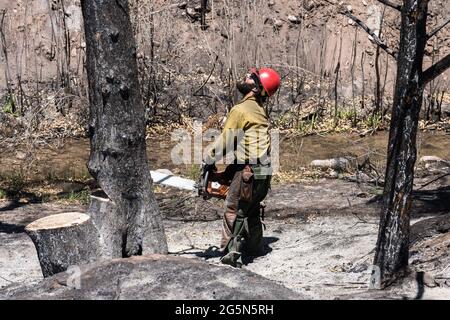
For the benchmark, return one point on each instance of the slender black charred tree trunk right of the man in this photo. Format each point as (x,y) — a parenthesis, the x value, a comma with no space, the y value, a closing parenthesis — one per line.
(392,248)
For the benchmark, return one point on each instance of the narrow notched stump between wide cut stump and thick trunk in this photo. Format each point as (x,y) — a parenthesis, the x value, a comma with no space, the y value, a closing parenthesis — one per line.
(102,210)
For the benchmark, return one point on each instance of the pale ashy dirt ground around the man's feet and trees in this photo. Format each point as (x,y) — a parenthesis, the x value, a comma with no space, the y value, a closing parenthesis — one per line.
(319,241)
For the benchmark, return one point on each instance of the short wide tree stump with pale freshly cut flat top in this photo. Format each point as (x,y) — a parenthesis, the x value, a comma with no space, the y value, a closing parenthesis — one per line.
(63,240)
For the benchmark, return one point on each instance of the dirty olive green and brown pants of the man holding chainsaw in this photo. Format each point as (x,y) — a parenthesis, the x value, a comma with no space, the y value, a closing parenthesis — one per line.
(242,228)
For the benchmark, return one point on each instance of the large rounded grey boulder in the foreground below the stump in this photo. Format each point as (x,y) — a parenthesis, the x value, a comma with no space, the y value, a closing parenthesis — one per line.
(158,277)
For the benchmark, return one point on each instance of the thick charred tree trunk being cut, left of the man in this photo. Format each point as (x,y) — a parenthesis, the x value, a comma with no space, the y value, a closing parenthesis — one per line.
(118,159)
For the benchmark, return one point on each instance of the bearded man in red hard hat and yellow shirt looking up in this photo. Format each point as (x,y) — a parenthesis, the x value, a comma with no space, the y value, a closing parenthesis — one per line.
(246,135)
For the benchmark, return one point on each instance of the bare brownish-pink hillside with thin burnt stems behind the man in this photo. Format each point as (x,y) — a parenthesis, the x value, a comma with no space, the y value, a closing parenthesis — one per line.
(189,72)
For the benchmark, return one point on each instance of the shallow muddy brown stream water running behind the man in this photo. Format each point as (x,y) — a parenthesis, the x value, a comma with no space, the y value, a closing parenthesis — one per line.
(68,160)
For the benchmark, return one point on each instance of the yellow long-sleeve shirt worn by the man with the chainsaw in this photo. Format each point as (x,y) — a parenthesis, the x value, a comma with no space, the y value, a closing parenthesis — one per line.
(245,133)
